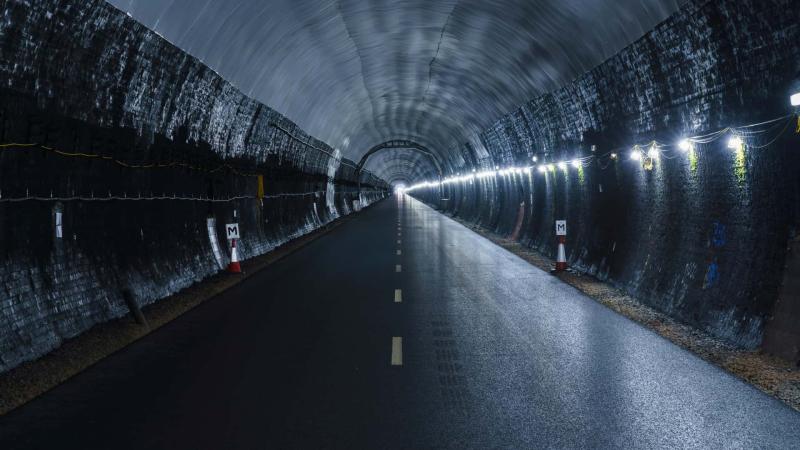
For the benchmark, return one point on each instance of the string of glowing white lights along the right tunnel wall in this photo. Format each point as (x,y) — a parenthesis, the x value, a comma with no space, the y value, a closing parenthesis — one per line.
(739,138)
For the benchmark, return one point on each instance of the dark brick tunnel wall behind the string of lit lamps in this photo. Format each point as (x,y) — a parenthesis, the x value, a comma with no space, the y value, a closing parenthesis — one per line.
(702,239)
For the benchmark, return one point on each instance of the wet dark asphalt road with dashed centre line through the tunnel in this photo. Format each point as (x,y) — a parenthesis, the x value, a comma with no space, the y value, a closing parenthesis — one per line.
(495,354)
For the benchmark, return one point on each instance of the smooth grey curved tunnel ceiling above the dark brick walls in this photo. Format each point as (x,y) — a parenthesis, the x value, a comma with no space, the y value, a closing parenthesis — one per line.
(356,73)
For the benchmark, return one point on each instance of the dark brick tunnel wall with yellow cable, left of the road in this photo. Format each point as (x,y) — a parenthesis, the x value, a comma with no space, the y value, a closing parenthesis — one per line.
(121,160)
